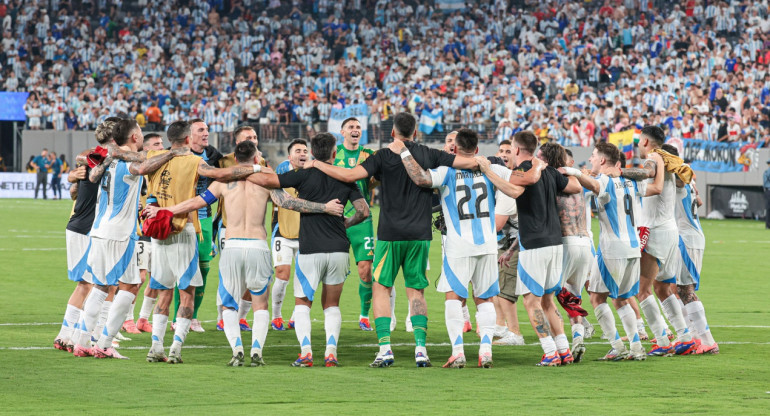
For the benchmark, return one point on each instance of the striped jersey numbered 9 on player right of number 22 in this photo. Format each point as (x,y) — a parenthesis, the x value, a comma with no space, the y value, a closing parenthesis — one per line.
(618,238)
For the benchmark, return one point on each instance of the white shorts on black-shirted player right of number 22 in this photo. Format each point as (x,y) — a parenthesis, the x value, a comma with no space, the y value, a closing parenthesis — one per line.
(539,270)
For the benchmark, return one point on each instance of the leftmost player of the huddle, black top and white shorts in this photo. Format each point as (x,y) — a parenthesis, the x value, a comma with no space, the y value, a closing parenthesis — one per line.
(84,193)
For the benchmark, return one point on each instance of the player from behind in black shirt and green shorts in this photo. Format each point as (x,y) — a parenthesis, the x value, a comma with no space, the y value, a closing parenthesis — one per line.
(404,231)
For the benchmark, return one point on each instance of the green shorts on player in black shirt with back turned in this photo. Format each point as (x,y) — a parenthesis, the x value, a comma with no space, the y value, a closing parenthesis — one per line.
(411,256)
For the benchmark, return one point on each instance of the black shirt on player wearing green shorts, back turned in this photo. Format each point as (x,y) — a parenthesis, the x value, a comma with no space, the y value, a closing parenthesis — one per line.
(406,208)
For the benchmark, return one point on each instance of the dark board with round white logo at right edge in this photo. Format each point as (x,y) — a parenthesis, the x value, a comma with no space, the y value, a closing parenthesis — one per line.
(739,201)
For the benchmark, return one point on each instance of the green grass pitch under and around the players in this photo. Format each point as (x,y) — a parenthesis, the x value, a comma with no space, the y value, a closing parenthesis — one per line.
(35,378)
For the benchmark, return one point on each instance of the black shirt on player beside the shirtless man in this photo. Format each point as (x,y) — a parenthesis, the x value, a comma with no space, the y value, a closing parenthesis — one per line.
(320,233)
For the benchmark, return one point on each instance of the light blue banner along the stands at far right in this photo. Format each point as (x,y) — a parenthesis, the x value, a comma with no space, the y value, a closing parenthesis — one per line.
(721,157)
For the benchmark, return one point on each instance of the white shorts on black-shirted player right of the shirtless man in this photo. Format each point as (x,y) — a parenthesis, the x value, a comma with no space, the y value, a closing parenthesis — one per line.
(312,269)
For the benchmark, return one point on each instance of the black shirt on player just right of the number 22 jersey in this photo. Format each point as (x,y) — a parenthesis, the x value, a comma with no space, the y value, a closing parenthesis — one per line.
(539,224)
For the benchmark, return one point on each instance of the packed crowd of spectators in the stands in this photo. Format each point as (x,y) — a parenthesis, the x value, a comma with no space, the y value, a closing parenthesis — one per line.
(572,71)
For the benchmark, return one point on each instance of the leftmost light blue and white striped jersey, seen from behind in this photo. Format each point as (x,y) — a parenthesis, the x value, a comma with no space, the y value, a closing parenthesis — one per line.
(118,203)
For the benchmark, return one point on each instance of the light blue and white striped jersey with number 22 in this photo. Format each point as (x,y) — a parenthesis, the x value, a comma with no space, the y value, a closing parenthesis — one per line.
(468,203)
